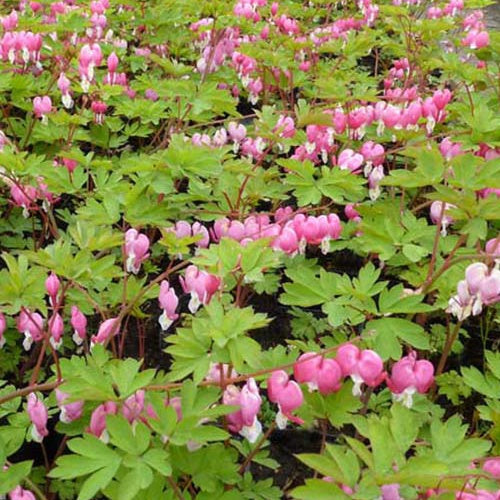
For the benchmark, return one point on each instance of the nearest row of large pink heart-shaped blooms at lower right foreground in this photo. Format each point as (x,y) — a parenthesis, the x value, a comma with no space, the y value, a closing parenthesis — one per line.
(364,366)
